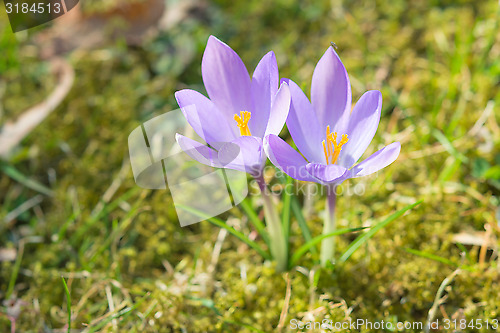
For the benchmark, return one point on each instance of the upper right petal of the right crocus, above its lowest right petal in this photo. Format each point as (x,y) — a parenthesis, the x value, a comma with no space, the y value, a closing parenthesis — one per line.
(363,124)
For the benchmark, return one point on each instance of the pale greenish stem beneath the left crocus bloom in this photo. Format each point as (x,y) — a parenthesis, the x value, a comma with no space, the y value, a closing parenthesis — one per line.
(278,244)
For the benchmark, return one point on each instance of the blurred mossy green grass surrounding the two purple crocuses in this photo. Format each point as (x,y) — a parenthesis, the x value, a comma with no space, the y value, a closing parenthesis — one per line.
(128,264)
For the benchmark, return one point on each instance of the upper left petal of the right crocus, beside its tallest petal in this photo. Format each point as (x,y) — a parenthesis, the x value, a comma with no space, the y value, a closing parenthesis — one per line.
(304,126)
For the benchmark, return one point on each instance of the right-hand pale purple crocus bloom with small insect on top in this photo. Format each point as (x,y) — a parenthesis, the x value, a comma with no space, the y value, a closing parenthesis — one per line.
(327,133)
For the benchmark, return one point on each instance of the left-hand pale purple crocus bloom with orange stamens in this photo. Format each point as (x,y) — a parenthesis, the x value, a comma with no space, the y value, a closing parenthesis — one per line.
(239,112)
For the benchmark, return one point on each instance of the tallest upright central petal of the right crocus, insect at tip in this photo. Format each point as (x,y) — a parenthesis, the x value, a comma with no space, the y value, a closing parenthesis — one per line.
(331,92)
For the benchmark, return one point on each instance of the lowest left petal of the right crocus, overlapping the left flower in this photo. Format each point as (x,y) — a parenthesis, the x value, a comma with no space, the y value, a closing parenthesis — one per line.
(287,159)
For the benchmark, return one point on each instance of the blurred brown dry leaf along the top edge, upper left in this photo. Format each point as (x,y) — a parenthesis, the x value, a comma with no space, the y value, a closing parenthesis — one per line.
(133,22)
